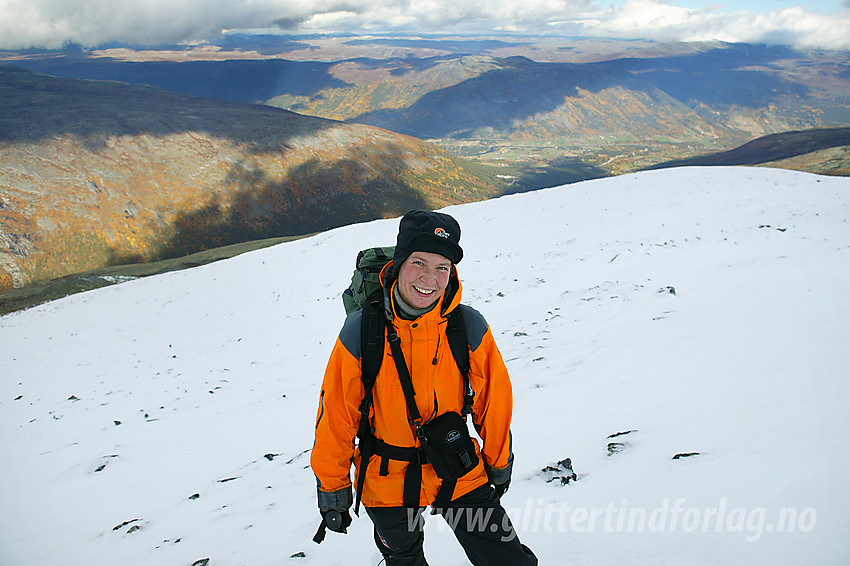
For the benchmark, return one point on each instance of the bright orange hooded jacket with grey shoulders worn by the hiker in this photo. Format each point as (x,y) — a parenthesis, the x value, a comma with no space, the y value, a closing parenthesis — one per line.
(439,389)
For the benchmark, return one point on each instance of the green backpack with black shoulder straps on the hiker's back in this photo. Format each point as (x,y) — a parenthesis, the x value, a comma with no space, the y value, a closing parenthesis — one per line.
(366,293)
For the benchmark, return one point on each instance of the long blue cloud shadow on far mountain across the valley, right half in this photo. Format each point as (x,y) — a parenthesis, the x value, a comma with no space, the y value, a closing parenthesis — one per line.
(522,88)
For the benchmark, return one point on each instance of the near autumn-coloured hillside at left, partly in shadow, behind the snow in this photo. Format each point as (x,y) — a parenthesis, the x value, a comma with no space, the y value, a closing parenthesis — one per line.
(96,172)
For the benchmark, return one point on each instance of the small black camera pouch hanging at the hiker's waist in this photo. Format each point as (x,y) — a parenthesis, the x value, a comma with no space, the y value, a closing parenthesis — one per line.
(448,446)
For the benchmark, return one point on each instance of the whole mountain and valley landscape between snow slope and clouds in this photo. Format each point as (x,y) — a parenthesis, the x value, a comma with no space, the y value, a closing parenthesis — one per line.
(206,149)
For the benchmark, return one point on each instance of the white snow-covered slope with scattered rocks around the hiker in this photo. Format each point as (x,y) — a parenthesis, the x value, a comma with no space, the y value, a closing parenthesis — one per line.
(704,309)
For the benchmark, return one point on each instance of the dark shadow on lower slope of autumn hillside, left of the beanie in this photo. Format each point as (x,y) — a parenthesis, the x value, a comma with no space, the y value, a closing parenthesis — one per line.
(315,197)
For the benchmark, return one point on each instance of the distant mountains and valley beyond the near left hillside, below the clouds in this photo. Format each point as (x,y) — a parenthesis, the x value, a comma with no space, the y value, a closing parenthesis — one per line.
(573,108)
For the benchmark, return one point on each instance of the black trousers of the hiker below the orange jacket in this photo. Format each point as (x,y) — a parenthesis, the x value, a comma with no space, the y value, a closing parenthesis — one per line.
(478,520)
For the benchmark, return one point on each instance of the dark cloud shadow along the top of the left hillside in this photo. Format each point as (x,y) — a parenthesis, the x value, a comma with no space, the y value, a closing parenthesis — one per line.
(35,107)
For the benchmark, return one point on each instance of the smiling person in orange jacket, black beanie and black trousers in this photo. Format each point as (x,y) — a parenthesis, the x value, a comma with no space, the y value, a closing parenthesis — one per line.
(437,365)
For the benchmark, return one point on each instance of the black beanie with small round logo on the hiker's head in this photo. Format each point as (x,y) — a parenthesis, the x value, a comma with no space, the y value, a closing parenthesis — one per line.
(426,231)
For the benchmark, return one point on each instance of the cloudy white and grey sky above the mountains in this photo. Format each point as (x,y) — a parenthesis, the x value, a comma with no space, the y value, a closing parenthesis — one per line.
(53,23)
